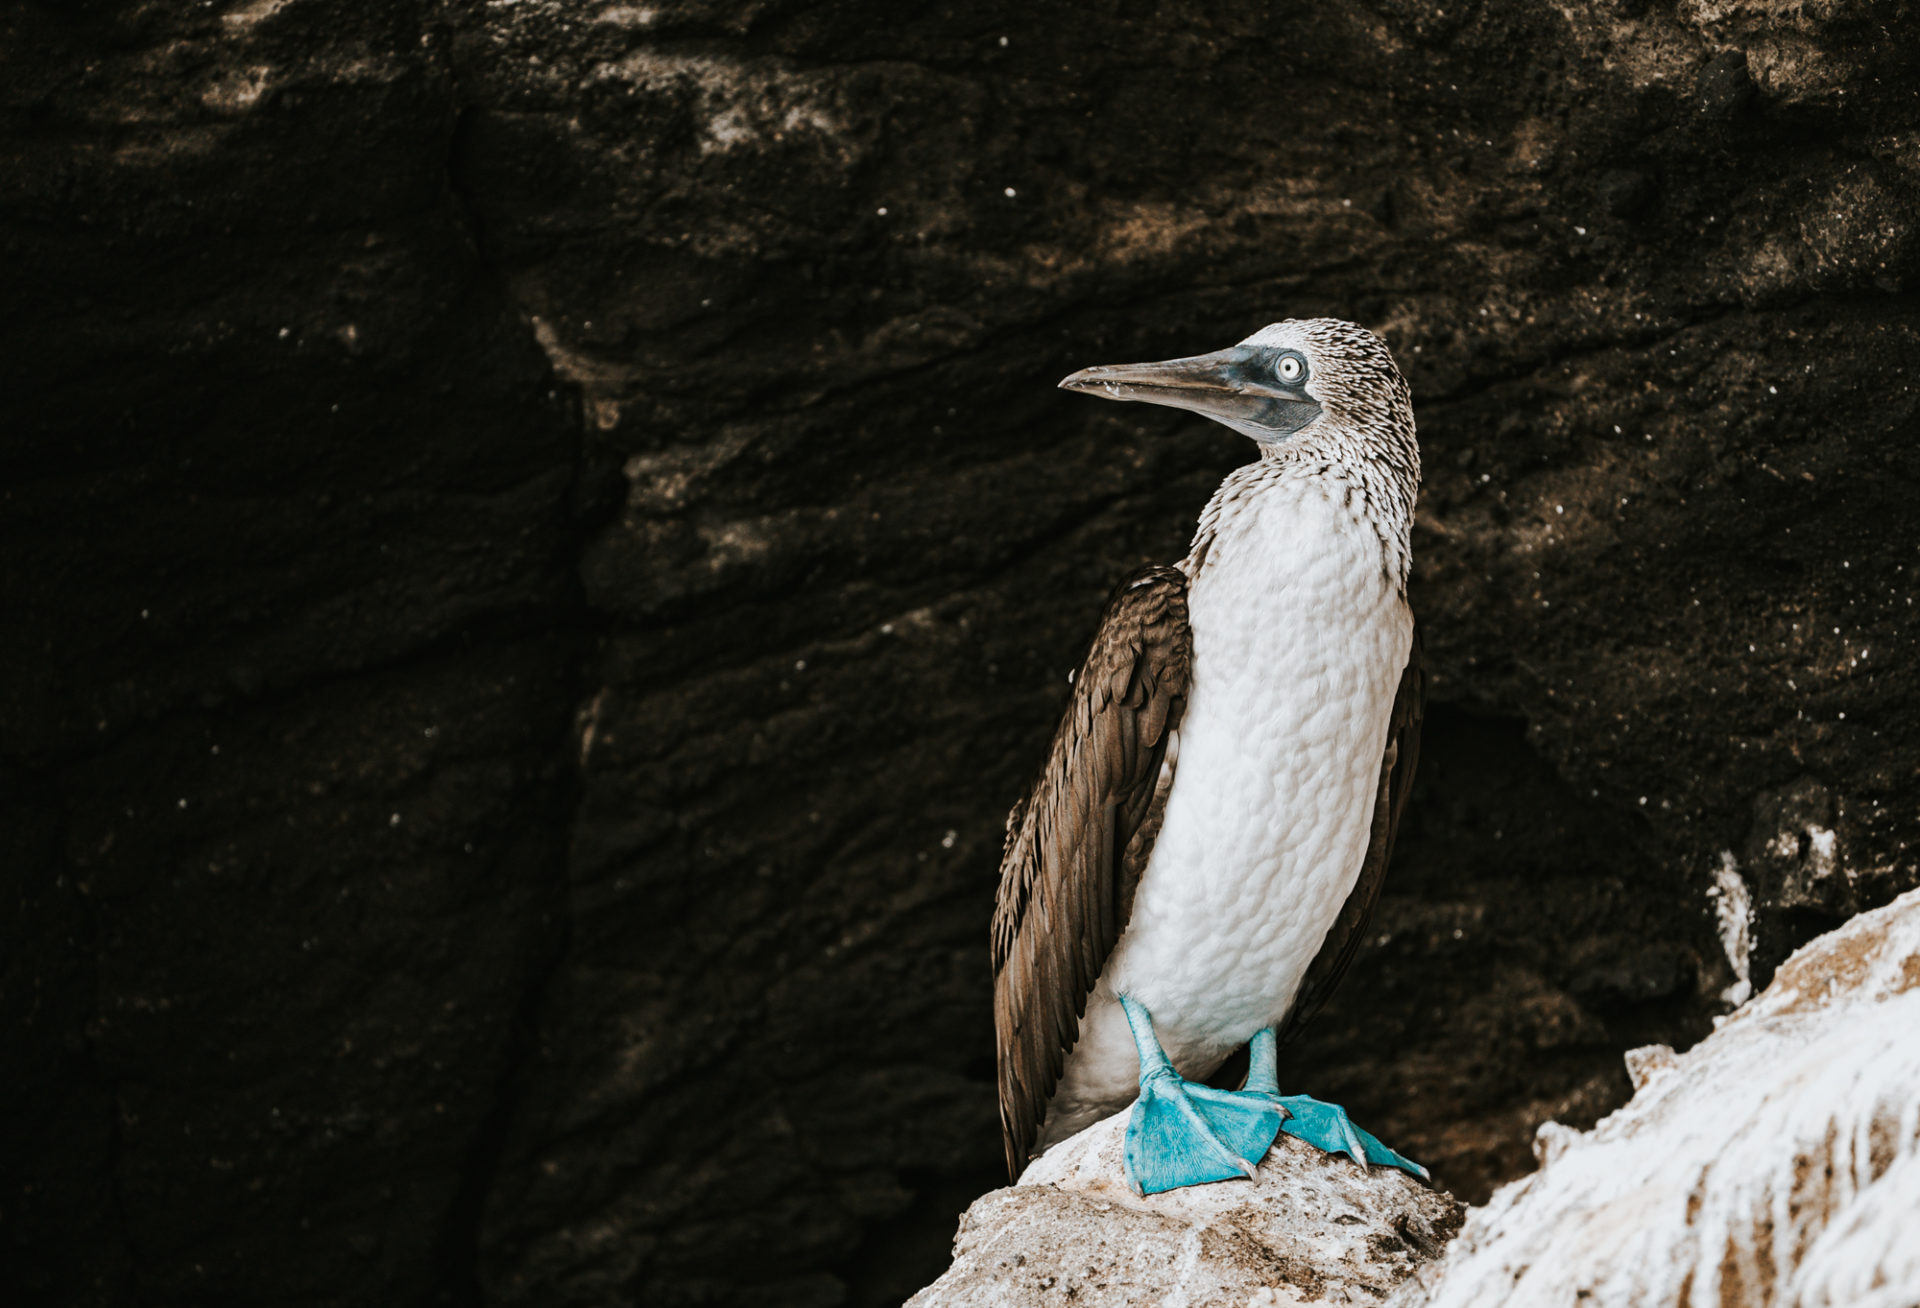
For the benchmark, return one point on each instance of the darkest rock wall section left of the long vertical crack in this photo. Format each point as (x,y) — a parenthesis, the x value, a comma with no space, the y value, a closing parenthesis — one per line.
(293,644)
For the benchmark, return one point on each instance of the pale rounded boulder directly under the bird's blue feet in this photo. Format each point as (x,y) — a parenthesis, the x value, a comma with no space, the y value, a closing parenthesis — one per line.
(1307,1230)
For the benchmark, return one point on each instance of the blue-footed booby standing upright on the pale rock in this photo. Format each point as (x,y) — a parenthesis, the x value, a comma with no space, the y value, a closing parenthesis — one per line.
(1201,854)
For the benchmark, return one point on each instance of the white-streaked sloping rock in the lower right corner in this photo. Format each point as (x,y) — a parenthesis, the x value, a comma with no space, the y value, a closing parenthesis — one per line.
(1771,1165)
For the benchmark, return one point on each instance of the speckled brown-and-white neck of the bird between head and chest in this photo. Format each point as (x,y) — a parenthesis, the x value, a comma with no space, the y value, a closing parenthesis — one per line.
(1378,495)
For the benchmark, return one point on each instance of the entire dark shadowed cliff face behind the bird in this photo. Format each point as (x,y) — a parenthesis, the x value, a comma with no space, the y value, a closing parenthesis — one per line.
(594,475)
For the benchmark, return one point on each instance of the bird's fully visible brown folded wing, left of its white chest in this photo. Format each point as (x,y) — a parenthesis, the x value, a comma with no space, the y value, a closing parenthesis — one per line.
(1078,842)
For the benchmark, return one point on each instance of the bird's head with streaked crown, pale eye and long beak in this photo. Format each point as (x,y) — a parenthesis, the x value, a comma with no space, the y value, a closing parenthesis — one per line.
(1289,381)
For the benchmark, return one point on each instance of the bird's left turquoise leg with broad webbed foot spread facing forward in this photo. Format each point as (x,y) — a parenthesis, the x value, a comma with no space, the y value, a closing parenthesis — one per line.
(1186,1134)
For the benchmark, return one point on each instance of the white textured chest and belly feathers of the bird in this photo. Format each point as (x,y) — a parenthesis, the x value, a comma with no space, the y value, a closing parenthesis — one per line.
(1299,646)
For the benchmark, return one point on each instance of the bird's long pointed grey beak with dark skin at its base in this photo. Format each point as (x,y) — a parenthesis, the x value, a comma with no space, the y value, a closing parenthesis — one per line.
(1234,387)
